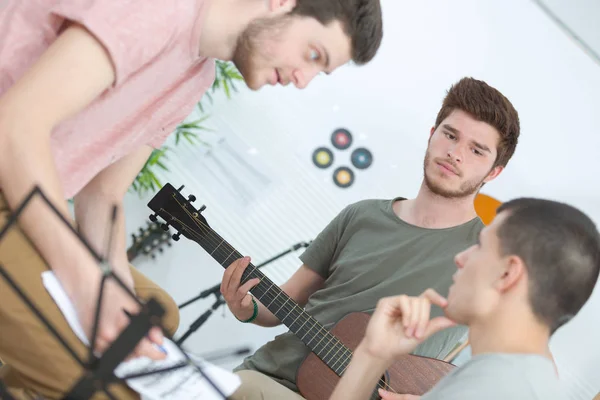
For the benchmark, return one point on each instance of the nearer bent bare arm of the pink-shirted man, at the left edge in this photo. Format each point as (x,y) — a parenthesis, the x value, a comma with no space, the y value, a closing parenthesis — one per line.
(68,76)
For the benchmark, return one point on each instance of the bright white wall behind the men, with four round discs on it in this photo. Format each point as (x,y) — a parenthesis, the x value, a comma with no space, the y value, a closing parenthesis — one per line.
(428,45)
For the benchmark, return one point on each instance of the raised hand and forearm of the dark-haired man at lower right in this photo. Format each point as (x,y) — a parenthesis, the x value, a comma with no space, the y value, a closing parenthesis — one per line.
(398,325)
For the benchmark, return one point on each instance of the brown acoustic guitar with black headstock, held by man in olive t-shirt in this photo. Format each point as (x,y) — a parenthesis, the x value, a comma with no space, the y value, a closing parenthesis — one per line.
(331,351)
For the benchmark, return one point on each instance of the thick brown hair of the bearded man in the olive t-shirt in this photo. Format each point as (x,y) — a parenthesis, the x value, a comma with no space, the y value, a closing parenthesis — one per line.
(486,104)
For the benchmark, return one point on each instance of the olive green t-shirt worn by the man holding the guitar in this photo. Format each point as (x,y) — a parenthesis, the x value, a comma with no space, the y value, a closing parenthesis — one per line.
(365,253)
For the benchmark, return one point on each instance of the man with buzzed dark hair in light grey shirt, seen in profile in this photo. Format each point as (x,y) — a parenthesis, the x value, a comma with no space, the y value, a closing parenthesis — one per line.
(532,270)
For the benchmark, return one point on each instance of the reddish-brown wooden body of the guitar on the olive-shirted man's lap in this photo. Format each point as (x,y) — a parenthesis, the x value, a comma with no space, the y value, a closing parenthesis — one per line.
(410,374)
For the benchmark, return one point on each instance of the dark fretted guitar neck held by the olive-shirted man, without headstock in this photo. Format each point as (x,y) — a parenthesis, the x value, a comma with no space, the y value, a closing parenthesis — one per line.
(318,339)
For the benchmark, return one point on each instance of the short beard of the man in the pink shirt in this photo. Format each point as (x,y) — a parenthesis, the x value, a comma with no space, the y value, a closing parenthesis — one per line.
(252,47)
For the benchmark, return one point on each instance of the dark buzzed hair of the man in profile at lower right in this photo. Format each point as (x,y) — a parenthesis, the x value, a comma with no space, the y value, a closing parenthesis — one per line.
(560,246)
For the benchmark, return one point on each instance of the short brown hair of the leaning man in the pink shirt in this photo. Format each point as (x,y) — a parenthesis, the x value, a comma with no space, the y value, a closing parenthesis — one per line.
(361,20)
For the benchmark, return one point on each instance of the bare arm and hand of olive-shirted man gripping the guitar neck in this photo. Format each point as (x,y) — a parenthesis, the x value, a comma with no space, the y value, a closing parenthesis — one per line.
(299,287)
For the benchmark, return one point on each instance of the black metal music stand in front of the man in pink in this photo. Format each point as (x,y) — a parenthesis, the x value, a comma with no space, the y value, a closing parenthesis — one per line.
(98,372)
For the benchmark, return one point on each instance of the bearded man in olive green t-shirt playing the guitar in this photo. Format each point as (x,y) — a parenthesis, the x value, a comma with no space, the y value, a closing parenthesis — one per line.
(378,248)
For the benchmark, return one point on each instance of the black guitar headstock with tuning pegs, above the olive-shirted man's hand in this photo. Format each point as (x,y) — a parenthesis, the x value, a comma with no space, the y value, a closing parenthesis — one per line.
(179,213)
